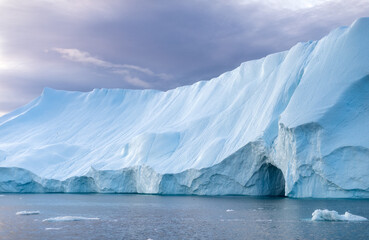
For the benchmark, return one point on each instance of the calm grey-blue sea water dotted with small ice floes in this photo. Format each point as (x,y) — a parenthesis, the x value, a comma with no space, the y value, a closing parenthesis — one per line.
(117,216)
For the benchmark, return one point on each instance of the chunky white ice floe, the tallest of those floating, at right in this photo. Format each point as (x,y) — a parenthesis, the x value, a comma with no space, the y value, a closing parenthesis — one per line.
(327,215)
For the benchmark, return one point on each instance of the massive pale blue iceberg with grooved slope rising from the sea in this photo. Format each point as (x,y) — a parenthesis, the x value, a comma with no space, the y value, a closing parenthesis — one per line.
(293,123)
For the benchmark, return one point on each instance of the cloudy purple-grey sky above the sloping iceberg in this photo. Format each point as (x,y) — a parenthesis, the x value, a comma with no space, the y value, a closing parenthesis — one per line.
(162,44)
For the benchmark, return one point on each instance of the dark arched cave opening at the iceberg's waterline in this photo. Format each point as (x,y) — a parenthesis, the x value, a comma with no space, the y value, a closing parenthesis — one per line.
(271,180)
